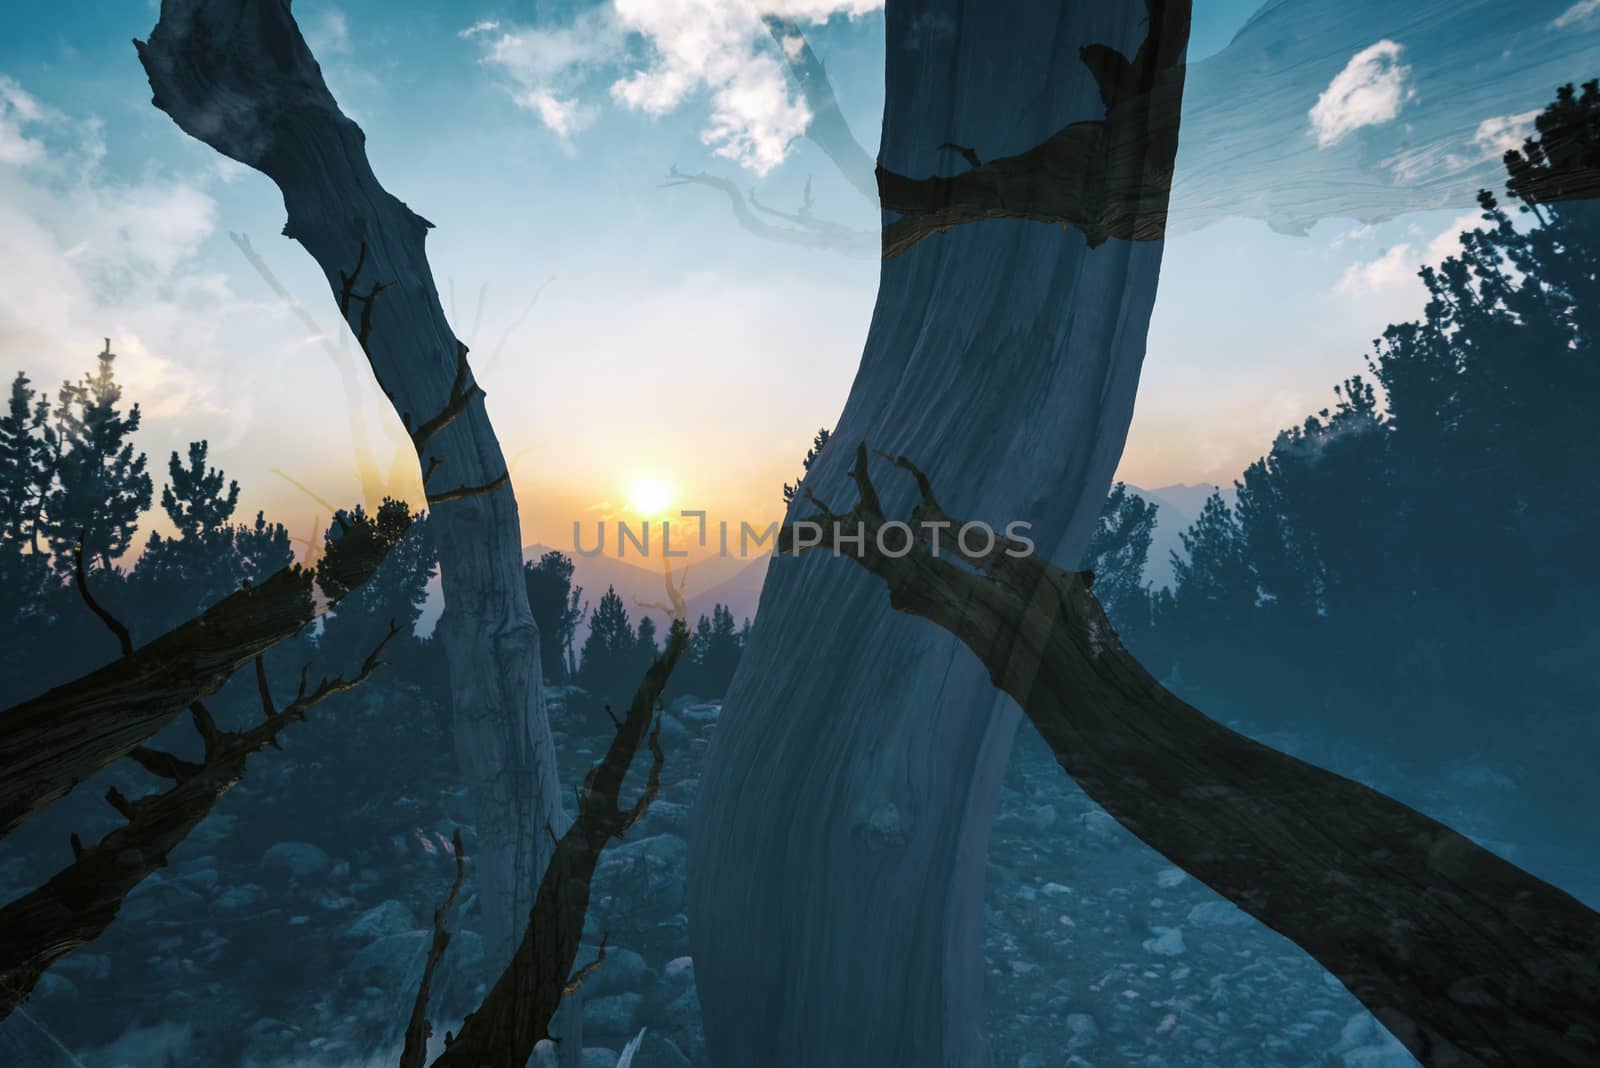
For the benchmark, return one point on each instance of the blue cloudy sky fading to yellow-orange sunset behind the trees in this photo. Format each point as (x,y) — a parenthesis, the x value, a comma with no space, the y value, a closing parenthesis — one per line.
(638,348)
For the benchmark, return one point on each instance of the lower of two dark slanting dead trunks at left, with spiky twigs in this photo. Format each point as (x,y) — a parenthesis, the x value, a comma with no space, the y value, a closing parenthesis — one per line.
(76,907)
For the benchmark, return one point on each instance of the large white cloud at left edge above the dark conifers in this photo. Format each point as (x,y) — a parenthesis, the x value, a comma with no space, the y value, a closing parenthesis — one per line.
(94,255)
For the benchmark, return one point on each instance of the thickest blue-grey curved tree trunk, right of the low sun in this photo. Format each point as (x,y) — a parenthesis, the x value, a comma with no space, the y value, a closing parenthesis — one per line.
(838,853)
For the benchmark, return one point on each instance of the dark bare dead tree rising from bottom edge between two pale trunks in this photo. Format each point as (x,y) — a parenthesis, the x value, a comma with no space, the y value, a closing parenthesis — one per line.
(518,1011)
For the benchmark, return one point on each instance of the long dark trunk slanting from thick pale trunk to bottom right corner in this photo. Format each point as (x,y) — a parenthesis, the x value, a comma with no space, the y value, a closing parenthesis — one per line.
(1466,958)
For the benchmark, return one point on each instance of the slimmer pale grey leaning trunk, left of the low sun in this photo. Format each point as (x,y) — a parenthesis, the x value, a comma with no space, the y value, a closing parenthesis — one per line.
(238,76)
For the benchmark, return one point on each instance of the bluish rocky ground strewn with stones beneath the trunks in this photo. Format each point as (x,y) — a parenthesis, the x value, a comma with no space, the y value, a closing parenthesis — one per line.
(276,952)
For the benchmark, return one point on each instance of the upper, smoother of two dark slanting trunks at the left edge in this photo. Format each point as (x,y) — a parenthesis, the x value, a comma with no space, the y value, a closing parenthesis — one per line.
(54,743)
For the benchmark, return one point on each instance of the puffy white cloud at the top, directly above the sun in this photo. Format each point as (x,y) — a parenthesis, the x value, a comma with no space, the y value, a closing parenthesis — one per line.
(719,49)
